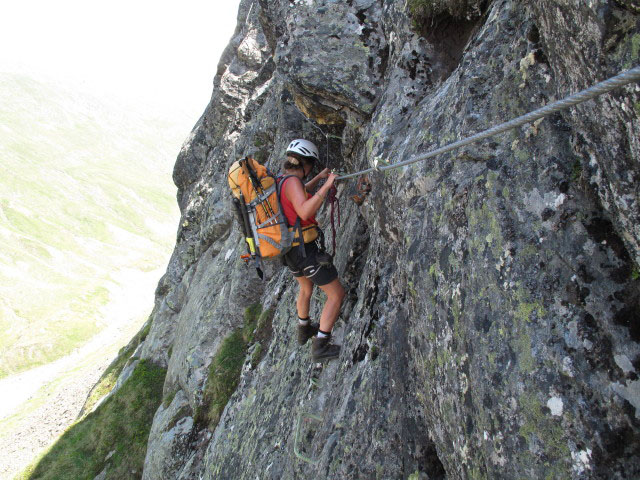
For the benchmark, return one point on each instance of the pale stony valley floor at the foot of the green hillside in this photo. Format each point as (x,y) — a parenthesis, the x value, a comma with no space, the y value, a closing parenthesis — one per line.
(45,400)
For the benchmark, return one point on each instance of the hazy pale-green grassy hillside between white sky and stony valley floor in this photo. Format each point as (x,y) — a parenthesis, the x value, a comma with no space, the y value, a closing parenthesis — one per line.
(85,192)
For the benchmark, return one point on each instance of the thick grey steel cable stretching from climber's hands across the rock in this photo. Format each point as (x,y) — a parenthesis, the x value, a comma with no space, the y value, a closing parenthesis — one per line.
(632,75)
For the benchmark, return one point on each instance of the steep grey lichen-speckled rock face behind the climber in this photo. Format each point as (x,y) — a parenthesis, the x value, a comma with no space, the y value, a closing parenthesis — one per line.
(491,326)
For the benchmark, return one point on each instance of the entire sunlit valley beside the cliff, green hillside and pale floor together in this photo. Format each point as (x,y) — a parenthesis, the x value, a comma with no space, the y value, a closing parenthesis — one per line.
(87,223)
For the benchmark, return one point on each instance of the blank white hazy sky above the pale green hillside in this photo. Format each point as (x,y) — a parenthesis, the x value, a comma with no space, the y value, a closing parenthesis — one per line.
(157,50)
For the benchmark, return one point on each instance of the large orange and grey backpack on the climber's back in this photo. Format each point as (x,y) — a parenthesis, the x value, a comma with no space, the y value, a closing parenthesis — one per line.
(256,196)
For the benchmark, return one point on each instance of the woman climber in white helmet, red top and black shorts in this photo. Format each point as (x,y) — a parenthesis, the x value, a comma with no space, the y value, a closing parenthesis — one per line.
(310,265)
